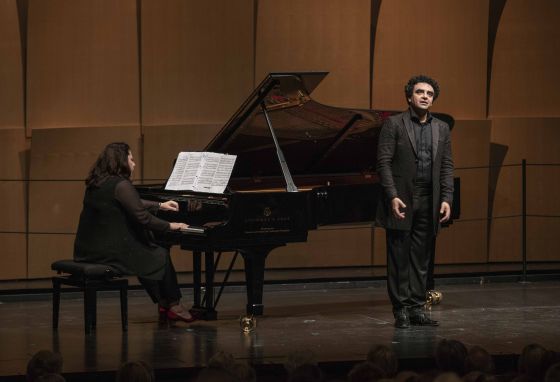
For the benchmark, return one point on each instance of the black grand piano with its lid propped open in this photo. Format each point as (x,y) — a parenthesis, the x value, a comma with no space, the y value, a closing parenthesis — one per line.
(300,165)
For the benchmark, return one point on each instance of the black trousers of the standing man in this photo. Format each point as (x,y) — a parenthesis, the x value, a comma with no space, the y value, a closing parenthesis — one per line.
(409,254)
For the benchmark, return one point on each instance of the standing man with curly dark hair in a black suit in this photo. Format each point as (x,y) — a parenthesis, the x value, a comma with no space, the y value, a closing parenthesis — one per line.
(416,170)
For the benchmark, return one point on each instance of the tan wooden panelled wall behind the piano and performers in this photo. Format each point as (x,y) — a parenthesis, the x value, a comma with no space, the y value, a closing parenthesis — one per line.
(165,76)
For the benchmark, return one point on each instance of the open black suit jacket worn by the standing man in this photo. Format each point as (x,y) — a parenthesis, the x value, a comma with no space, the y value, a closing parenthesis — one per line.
(396,167)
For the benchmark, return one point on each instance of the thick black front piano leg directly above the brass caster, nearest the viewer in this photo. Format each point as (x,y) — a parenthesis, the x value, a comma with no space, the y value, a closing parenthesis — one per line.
(254,277)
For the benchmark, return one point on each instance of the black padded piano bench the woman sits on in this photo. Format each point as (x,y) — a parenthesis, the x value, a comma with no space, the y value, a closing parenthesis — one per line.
(89,278)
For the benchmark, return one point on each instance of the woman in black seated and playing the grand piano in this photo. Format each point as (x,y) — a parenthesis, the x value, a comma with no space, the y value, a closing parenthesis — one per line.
(115,227)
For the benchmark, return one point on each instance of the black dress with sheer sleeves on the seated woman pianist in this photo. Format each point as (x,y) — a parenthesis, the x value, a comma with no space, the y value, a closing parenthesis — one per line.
(113,230)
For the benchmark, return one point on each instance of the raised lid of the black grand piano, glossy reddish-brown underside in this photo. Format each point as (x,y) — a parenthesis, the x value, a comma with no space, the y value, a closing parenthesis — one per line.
(315,138)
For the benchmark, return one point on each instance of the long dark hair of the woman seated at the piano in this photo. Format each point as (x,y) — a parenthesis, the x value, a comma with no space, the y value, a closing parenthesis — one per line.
(113,161)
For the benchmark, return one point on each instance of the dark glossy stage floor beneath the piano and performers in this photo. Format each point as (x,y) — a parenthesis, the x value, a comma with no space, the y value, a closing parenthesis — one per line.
(338,322)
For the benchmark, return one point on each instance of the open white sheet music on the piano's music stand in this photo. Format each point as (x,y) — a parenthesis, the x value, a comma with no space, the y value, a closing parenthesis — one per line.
(201,171)
